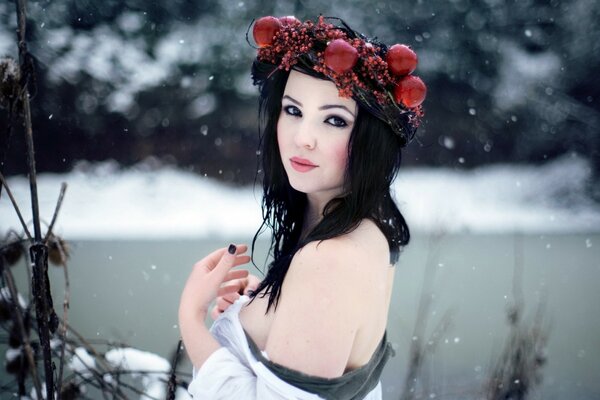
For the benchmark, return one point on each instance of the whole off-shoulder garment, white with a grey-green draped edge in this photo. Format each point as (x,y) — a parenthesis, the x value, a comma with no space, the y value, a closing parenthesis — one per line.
(239,370)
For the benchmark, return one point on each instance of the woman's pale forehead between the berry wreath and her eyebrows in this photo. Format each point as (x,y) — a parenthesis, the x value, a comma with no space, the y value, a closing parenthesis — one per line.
(301,86)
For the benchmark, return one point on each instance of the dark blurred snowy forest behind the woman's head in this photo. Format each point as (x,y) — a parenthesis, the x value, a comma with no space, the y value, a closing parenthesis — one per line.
(508,80)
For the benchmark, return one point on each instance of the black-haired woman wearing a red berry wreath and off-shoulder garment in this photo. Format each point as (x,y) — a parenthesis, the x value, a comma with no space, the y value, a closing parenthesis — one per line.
(315,326)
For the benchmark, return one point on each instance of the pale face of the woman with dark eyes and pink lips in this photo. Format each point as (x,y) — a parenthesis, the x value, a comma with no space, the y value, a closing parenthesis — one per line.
(313,131)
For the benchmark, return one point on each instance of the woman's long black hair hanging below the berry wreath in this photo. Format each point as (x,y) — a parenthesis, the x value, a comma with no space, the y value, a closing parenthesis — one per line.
(373,160)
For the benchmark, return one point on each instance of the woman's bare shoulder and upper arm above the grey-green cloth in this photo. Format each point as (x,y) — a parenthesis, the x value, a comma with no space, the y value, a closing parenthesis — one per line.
(325,299)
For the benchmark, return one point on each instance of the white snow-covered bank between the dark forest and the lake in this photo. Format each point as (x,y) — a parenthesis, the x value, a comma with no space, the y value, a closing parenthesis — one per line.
(148,202)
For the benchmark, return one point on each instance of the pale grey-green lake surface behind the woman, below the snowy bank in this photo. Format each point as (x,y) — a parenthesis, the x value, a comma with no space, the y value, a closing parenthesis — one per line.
(128,291)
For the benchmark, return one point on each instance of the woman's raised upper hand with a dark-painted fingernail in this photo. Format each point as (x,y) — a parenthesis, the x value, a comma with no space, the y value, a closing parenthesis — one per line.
(208,275)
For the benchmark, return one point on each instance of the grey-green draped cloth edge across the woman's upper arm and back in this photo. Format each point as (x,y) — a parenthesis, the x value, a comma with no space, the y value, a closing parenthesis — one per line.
(353,385)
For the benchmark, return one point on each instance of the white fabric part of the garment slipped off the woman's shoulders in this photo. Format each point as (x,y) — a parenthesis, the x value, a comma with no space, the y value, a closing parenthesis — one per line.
(232,372)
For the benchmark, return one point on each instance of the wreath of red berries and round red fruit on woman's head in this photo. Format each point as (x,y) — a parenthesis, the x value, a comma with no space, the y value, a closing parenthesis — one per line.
(355,65)
